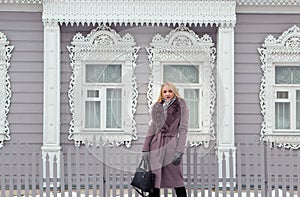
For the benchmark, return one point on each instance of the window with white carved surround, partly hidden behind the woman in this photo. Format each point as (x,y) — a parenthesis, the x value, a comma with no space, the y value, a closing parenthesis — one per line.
(188,61)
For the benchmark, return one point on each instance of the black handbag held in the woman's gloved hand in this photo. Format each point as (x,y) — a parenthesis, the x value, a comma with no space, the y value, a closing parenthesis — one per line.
(143,178)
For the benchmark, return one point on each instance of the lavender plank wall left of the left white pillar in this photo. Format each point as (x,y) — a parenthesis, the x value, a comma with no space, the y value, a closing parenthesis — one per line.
(24,30)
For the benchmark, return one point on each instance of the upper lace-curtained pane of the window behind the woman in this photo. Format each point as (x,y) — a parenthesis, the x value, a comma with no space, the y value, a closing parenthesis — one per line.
(181,73)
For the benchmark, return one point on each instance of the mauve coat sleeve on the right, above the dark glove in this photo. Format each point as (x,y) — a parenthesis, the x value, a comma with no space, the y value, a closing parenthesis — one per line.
(183,127)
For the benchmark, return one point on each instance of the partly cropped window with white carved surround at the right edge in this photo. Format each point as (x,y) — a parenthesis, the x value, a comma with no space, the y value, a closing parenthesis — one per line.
(280,89)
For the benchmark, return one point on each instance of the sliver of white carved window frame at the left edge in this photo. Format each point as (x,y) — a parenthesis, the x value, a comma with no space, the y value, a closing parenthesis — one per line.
(5,93)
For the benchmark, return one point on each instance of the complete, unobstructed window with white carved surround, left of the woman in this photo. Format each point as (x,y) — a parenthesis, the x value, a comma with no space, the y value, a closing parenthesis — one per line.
(103,89)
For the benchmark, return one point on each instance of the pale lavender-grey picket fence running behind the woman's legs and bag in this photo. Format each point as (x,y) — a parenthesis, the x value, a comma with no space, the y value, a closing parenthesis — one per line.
(107,172)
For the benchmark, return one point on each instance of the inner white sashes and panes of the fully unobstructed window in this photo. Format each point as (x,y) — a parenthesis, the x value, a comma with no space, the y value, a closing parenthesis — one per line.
(103,96)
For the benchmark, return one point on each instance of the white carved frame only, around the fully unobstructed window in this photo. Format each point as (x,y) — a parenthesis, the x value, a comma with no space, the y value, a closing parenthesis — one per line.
(103,45)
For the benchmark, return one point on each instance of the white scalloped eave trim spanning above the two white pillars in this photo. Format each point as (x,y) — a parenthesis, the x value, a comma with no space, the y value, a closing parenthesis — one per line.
(141,12)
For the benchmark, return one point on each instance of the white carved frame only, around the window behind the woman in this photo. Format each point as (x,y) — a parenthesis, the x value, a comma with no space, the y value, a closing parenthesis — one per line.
(182,46)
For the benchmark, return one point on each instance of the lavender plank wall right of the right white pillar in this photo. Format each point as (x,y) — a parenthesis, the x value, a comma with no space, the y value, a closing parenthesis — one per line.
(250,32)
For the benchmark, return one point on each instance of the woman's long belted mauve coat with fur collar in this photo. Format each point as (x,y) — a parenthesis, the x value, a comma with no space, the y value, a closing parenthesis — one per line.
(167,135)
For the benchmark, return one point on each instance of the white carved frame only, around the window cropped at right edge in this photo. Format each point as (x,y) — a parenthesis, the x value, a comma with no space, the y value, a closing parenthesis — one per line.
(282,51)
